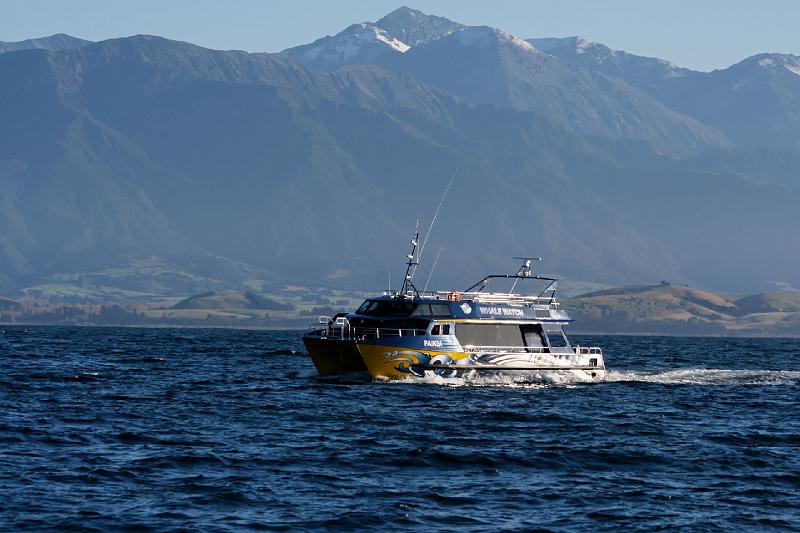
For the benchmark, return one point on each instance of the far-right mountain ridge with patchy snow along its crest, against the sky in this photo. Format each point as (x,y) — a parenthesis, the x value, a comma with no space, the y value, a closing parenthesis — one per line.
(753,102)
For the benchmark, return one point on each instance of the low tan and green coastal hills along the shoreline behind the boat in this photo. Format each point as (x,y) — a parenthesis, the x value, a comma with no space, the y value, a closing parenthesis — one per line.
(642,310)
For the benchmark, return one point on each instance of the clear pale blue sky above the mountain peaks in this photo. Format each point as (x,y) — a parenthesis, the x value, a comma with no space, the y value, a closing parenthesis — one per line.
(699,34)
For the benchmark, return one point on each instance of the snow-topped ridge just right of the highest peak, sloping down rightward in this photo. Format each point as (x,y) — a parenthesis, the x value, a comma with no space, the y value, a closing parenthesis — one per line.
(470,62)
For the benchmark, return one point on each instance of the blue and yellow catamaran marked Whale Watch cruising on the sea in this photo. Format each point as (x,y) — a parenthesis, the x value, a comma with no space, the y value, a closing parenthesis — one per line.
(409,333)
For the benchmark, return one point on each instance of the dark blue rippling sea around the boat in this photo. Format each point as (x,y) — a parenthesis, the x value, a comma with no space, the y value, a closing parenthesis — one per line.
(108,429)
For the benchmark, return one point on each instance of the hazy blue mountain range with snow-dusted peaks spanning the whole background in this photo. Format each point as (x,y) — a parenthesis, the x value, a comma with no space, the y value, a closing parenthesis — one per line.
(141,165)
